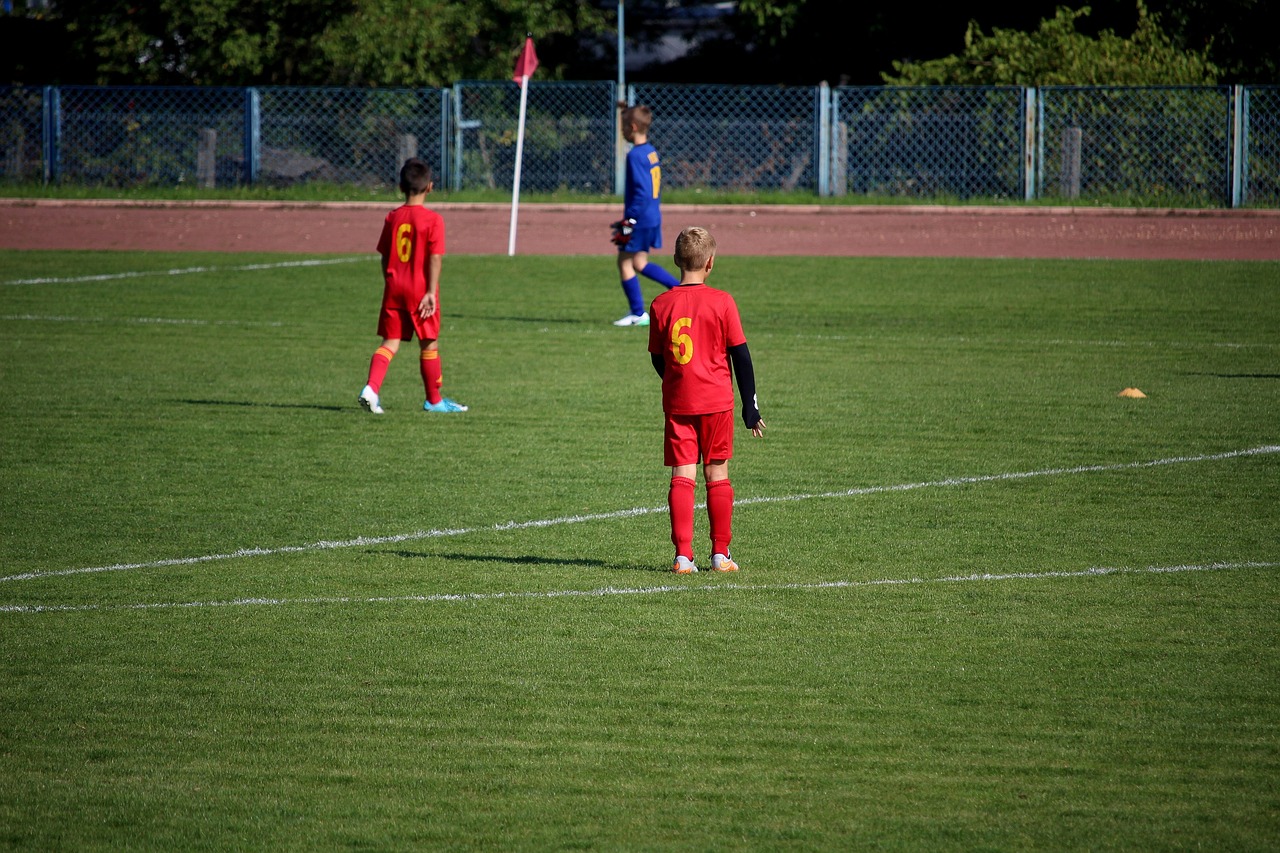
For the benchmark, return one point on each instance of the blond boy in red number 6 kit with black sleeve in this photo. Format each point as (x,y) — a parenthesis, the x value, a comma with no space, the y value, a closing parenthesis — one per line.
(694,337)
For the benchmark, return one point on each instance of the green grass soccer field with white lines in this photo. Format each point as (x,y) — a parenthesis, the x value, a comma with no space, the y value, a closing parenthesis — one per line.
(985,603)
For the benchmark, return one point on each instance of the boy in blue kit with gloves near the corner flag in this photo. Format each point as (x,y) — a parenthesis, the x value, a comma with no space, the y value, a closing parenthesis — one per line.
(641,229)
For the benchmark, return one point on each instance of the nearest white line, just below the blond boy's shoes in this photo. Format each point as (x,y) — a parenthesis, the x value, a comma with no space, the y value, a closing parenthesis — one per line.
(632,591)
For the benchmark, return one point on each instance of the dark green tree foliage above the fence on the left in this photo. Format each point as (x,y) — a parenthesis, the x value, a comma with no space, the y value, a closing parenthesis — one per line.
(367,43)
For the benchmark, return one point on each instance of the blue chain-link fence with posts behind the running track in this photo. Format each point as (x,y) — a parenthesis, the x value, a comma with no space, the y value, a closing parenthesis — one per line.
(1173,147)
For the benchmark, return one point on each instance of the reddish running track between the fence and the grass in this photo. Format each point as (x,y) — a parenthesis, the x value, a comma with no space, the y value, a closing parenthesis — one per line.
(583,230)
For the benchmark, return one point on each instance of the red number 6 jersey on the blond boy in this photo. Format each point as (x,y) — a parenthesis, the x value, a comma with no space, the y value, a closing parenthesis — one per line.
(693,327)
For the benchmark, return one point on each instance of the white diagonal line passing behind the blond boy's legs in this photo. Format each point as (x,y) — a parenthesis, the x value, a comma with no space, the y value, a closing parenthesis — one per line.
(637,512)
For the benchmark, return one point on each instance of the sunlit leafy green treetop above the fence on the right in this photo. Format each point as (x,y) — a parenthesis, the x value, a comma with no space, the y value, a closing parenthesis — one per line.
(1059,54)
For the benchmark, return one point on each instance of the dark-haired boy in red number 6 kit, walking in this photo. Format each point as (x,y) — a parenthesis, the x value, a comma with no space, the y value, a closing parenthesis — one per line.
(413,250)
